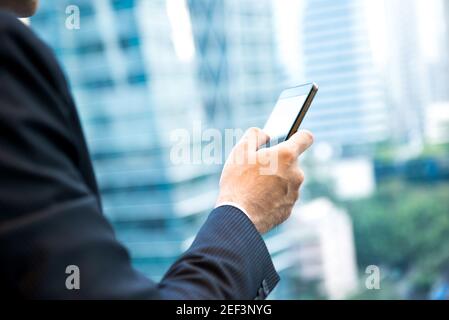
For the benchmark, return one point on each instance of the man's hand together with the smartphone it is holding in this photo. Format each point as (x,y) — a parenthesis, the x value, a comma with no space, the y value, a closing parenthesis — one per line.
(258,189)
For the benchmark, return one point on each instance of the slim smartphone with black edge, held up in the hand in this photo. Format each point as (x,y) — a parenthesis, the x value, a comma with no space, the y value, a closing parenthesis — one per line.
(289,112)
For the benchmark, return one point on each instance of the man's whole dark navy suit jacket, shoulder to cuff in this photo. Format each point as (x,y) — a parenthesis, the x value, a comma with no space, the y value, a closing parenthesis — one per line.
(50,210)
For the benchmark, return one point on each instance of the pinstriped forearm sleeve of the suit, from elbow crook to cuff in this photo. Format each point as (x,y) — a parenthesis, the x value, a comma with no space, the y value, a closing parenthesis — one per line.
(227,260)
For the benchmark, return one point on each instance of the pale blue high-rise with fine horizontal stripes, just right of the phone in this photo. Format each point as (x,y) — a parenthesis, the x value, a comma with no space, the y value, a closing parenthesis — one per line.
(350,108)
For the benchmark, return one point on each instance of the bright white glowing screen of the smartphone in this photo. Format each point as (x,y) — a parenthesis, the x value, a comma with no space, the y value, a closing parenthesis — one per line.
(283,117)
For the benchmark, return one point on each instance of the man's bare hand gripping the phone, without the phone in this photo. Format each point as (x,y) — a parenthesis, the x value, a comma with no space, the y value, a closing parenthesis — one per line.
(267,198)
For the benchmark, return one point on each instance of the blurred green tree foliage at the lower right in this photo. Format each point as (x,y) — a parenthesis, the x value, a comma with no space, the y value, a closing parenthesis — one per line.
(405,227)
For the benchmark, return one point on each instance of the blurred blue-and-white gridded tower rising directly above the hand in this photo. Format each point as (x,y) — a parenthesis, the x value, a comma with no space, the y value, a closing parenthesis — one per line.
(238,65)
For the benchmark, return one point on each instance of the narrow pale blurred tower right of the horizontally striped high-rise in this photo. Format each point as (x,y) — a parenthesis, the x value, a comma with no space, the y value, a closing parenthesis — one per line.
(405,74)
